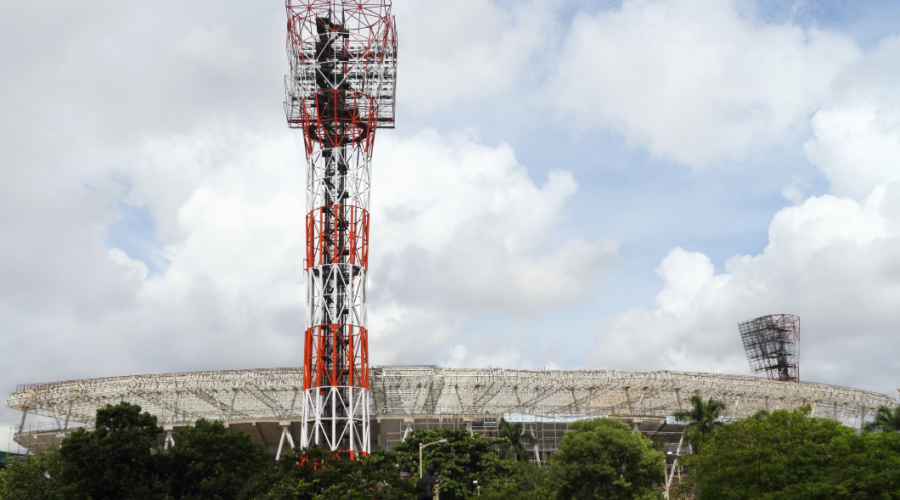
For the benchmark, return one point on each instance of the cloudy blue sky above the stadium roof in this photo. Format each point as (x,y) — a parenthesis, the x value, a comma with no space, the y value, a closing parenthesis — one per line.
(571,184)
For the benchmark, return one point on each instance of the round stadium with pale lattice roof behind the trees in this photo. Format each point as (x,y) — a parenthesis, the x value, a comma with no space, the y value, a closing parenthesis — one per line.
(265,403)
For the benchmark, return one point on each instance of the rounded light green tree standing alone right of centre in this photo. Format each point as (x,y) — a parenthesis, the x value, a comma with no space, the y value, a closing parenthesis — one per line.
(602,458)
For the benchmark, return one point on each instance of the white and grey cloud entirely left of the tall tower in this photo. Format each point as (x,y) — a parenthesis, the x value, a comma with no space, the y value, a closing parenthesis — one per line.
(230,291)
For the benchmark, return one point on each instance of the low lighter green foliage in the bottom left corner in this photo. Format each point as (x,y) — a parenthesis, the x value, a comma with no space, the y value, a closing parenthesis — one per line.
(34,477)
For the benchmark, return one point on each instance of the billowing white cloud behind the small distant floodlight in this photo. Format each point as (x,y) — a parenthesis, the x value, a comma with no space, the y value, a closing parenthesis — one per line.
(832,261)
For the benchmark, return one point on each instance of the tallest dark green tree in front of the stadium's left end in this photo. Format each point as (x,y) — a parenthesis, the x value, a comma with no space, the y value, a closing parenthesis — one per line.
(115,460)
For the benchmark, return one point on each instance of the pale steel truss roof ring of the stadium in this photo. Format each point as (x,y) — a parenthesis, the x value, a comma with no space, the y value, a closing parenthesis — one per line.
(273,394)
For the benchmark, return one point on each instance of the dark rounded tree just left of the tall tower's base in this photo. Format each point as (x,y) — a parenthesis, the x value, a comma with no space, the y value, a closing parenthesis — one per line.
(209,462)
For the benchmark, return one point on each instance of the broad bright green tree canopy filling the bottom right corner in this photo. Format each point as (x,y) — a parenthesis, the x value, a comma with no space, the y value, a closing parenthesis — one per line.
(787,455)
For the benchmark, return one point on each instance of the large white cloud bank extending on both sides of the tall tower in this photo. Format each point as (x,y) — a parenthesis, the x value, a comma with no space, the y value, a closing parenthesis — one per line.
(460,229)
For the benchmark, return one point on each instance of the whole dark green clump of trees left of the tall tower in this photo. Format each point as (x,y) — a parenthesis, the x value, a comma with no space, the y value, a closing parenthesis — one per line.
(118,460)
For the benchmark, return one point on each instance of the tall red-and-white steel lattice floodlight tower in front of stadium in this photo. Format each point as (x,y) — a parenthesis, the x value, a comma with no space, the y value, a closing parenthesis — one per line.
(339,91)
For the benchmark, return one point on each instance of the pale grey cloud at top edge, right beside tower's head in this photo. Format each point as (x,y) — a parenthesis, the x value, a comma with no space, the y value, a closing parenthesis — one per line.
(467,50)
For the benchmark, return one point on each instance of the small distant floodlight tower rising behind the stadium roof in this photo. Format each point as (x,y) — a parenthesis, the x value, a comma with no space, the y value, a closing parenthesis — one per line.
(772,344)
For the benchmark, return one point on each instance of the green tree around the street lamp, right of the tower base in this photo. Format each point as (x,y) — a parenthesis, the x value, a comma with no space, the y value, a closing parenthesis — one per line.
(463,459)
